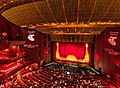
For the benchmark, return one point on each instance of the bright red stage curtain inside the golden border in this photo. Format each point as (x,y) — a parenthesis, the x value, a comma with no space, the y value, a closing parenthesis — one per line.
(76,49)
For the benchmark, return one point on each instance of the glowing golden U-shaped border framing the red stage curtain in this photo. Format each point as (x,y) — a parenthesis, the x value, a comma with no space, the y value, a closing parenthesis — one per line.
(72,57)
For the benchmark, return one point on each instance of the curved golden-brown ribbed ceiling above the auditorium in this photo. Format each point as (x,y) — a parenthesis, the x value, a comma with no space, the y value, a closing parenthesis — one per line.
(63,17)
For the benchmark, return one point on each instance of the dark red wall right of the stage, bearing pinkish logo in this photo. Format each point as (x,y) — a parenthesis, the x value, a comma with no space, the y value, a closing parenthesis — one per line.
(108,54)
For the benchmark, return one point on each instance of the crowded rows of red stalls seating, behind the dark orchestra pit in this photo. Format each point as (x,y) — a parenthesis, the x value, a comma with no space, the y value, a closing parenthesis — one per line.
(48,77)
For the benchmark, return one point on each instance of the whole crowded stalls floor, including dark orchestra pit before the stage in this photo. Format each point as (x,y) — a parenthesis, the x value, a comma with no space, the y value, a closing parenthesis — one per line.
(51,76)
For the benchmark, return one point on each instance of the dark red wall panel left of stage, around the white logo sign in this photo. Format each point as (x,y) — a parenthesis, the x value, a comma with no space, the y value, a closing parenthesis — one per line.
(35,54)
